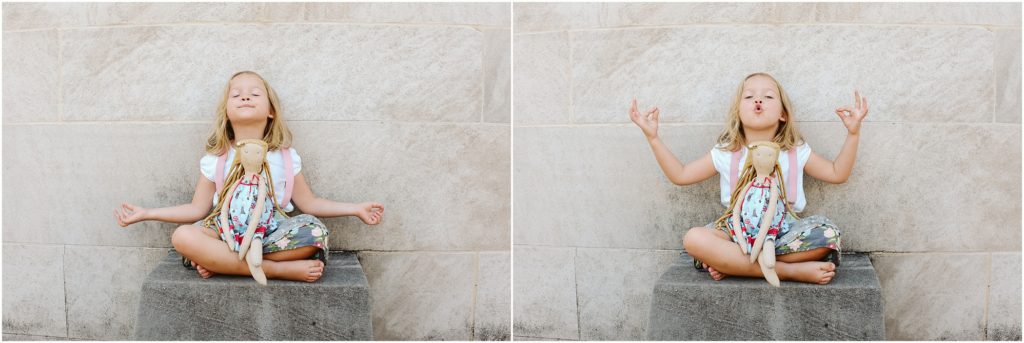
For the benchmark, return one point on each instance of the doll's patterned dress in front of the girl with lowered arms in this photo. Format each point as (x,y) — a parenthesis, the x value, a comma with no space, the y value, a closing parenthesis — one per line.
(241,206)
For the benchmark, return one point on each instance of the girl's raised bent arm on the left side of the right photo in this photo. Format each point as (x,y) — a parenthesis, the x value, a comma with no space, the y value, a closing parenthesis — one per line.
(676,171)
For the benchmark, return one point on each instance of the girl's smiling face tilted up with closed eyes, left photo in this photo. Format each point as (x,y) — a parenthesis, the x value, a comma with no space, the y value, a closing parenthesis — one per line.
(247,101)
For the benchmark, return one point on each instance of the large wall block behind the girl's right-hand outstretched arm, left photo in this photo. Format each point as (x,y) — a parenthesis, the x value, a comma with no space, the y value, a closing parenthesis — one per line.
(417,171)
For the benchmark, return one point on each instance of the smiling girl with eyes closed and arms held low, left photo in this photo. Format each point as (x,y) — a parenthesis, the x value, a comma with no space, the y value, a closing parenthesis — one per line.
(294,249)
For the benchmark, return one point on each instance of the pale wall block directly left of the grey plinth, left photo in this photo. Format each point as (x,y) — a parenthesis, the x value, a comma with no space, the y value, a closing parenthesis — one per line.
(103,305)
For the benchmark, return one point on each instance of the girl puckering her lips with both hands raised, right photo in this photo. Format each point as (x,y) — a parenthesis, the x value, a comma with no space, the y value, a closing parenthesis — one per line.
(761,111)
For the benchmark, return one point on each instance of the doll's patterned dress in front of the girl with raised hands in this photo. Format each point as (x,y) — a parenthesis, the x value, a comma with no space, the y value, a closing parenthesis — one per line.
(753,206)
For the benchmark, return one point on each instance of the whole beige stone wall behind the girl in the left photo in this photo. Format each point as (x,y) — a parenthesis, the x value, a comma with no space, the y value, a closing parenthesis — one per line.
(405,105)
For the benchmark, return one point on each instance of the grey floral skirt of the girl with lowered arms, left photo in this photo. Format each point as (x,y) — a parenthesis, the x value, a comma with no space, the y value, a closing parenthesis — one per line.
(291,233)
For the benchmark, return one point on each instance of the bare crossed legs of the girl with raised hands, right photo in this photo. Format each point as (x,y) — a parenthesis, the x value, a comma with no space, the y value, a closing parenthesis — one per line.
(723,259)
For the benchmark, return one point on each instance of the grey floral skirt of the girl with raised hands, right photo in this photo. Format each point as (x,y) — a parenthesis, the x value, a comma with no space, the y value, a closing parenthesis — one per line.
(803,235)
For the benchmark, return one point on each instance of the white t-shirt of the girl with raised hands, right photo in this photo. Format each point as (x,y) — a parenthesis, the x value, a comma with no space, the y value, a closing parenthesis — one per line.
(723,163)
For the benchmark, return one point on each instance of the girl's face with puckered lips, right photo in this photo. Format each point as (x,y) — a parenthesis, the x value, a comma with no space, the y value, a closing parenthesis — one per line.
(760,105)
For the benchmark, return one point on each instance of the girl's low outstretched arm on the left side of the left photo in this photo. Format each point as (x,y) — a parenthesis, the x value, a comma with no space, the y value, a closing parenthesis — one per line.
(200,207)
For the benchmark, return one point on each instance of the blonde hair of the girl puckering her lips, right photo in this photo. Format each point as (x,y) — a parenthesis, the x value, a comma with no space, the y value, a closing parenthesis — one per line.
(734,138)
